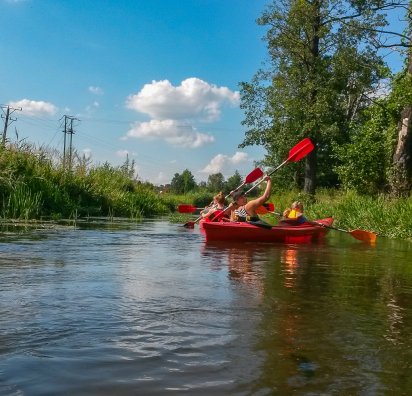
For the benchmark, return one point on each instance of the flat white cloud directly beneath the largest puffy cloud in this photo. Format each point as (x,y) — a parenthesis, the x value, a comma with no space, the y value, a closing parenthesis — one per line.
(177,133)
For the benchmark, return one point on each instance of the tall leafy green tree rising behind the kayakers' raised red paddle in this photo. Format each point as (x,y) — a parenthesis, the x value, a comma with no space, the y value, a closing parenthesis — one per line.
(320,69)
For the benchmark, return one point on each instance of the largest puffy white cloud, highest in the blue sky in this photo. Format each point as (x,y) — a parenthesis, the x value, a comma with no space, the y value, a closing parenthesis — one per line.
(193,98)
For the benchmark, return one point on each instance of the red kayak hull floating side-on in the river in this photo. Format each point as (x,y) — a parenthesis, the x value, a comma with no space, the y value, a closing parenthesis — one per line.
(249,232)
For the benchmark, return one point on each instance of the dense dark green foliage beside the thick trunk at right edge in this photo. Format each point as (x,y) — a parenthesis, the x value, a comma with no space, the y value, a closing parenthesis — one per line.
(365,162)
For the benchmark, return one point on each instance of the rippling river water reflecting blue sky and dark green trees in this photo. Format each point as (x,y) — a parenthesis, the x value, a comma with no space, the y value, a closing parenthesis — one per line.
(151,309)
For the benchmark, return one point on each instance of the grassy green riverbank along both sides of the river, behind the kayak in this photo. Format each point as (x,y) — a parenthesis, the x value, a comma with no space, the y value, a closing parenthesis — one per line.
(34,185)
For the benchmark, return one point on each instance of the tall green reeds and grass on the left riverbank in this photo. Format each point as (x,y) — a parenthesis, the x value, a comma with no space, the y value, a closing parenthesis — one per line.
(33,184)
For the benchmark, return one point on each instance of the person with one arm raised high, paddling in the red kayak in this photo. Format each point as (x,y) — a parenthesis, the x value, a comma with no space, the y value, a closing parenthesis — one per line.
(244,210)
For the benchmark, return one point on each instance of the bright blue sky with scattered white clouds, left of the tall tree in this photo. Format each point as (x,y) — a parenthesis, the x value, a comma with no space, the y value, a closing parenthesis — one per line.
(155,80)
